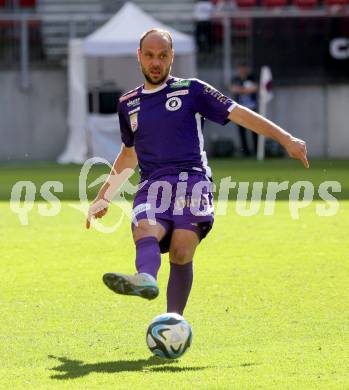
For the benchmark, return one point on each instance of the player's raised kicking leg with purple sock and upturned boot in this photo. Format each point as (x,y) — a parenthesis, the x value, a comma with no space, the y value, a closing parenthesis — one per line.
(146,236)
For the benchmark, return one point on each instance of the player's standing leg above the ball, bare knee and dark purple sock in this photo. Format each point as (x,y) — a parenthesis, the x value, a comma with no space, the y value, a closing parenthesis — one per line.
(182,248)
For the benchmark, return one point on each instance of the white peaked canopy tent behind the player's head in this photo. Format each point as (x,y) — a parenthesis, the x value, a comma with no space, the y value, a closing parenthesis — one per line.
(109,56)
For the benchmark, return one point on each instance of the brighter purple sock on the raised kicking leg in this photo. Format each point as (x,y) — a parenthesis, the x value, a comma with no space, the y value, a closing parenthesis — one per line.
(148,257)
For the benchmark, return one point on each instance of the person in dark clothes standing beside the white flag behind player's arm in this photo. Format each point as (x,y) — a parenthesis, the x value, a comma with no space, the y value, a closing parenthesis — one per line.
(244,88)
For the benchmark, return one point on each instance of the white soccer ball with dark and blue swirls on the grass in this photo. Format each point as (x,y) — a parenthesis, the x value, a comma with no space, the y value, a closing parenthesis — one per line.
(169,335)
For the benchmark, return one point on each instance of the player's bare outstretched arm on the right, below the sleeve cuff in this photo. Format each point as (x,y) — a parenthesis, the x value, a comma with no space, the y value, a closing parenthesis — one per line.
(295,147)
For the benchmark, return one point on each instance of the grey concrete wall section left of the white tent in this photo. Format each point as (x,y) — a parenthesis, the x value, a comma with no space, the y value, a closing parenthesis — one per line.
(33,122)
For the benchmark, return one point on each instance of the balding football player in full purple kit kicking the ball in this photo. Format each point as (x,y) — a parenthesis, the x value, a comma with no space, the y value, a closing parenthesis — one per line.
(161,125)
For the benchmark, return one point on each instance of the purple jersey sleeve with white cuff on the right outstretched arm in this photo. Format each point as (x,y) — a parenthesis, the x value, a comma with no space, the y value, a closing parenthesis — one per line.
(212,104)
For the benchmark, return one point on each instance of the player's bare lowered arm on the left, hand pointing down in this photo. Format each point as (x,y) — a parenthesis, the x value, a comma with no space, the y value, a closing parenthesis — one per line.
(122,169)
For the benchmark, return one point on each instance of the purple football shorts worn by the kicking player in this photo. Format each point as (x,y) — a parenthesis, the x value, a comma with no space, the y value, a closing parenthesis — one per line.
(183,201)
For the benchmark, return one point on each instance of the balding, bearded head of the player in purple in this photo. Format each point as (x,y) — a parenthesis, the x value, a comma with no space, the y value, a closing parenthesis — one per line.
(155,58)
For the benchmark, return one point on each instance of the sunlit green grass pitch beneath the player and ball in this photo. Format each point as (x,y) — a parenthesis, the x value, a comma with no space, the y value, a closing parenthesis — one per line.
(269,305)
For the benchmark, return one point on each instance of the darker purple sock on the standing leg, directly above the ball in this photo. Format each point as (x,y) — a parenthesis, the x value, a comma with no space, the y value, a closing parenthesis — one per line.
(179,286)
